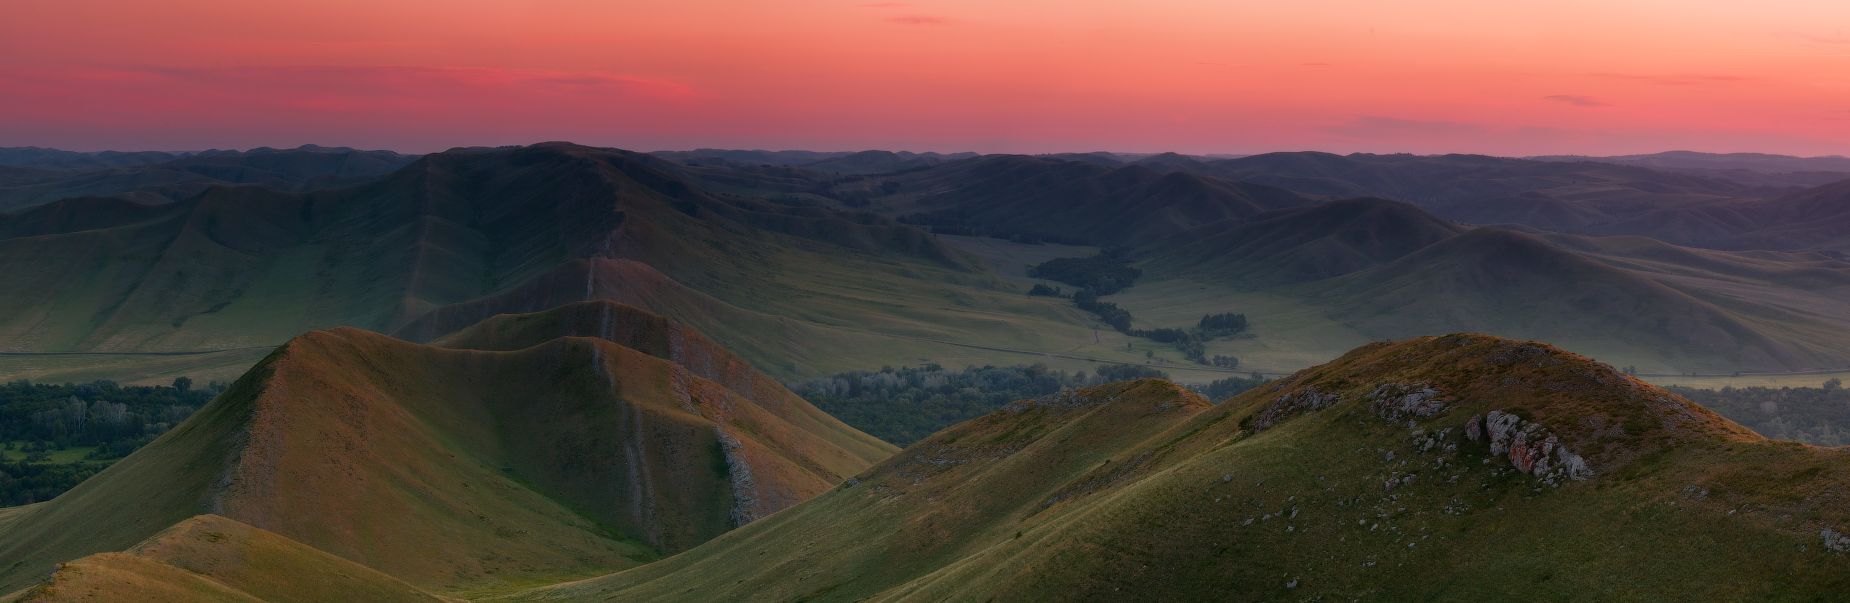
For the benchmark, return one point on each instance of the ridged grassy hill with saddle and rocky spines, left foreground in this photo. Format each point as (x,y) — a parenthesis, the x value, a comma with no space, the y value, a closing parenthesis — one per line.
(463,469)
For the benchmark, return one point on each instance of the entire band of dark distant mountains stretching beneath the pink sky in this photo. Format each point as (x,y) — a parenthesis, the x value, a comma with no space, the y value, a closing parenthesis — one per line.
(758,254)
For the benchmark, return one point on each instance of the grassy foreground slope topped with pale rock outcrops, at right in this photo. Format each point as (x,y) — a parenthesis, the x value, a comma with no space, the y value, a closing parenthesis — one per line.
(1437,469)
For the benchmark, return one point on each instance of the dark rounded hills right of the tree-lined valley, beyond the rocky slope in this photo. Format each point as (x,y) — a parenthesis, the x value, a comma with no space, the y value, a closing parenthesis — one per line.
(1392,271)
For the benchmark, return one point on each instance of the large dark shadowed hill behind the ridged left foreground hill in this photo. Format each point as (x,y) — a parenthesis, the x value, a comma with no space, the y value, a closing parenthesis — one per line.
(243,265)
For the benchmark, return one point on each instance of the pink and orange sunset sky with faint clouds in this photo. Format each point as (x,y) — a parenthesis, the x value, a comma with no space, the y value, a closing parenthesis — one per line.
(1211,77)
